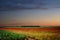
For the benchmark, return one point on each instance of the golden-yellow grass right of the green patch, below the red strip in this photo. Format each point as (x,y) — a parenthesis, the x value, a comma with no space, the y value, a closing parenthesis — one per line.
(41,35)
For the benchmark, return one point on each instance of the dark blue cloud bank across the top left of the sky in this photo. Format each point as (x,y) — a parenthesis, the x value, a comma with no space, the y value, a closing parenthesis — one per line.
(21,4)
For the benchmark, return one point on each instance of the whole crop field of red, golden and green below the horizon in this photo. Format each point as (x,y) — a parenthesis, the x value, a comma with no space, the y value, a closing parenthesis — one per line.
(29,34)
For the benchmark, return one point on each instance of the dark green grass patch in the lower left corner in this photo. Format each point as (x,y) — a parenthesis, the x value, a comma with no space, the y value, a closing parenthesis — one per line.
(5,35)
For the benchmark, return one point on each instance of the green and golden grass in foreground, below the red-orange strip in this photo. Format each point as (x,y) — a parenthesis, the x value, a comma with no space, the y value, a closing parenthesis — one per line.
(8,35)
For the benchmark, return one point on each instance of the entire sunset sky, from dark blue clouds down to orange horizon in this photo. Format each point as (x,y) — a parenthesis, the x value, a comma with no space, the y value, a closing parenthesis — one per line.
(29,12)
